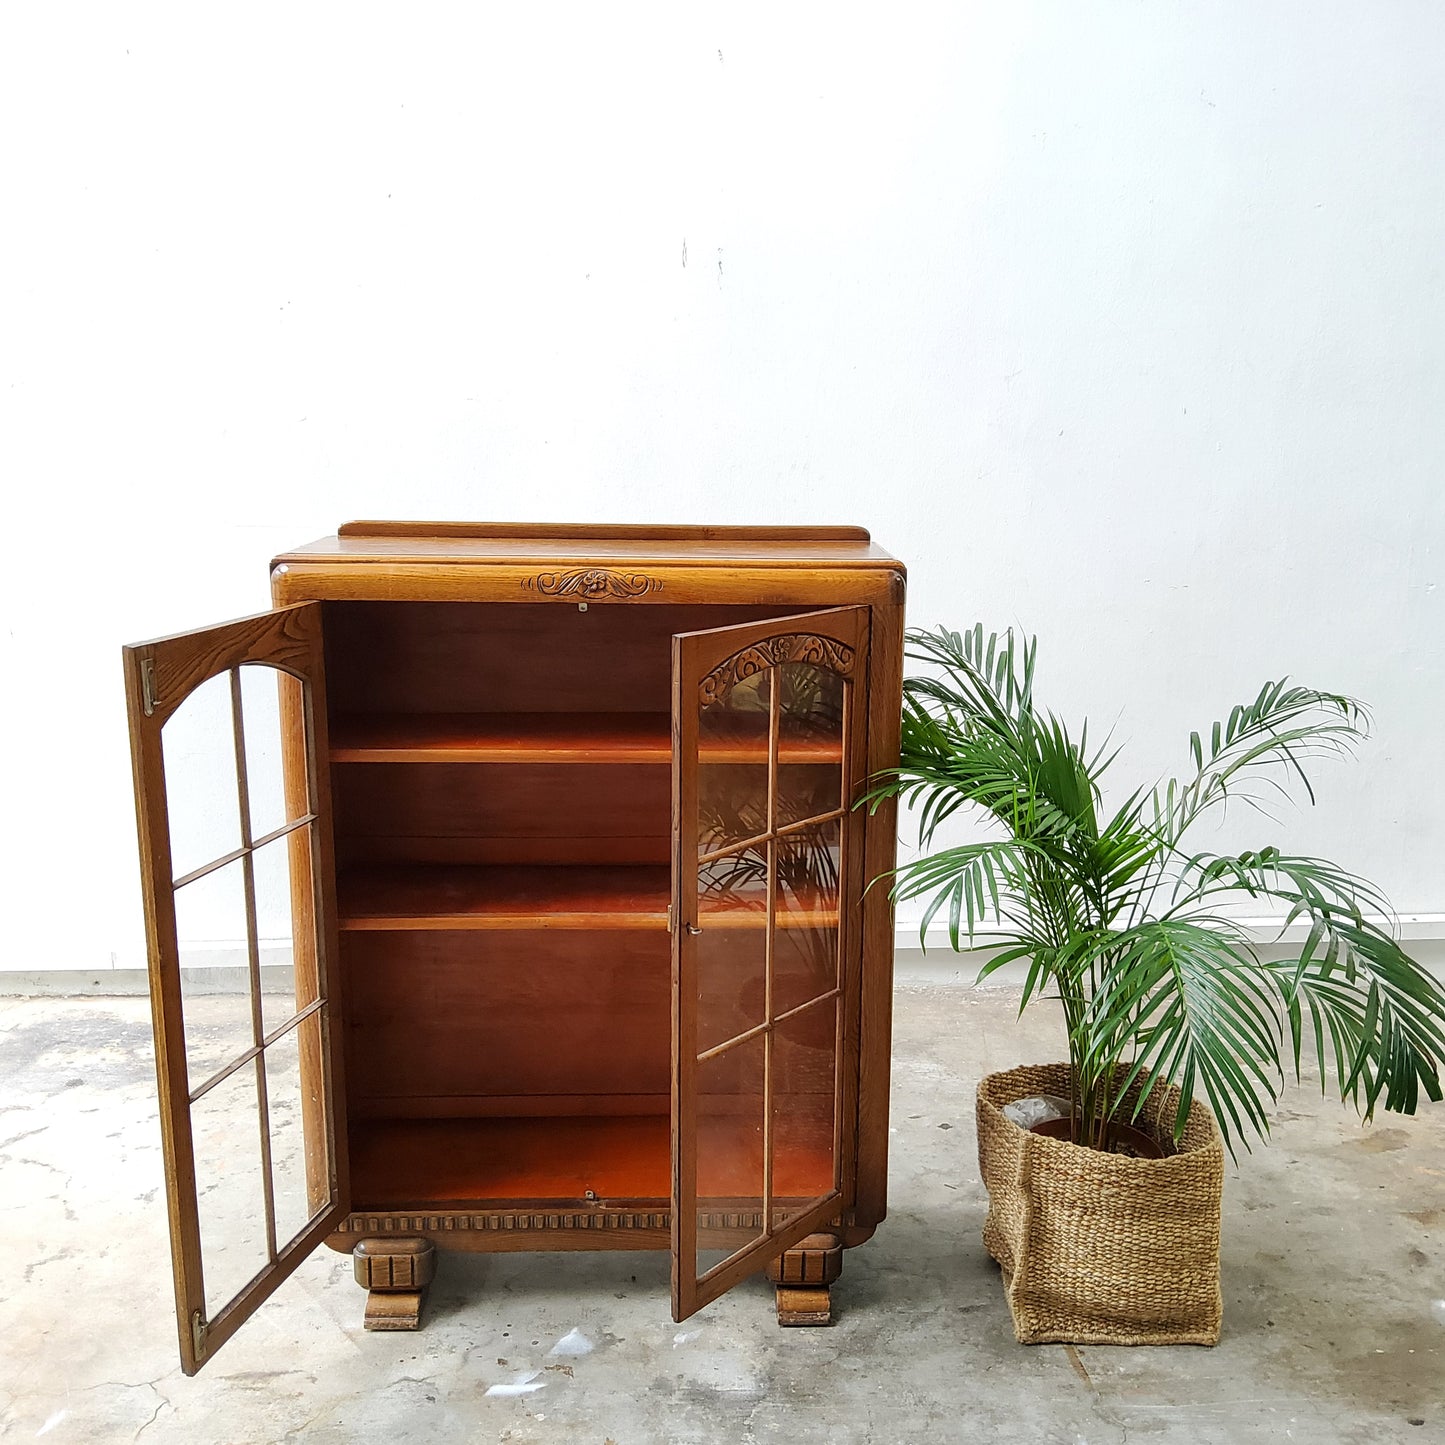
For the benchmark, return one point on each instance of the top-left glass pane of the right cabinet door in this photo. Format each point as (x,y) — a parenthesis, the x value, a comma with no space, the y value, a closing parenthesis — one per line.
(733,765)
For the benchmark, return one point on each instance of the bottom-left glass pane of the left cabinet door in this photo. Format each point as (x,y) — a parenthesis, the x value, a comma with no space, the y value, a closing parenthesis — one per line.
(229,1190)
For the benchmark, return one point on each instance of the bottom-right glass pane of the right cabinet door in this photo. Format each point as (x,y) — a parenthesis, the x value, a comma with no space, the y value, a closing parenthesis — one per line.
(806,1083)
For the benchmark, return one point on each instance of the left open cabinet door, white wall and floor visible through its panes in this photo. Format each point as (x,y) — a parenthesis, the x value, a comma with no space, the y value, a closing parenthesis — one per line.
(233,813)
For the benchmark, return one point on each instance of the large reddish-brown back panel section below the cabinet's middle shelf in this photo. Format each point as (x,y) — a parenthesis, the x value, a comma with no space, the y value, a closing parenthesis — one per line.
(440,1024)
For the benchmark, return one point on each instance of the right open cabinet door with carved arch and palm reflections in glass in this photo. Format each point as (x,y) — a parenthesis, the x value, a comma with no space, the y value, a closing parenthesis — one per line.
(769,723)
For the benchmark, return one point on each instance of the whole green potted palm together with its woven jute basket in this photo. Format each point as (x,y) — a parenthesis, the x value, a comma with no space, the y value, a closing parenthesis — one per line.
(1164,995)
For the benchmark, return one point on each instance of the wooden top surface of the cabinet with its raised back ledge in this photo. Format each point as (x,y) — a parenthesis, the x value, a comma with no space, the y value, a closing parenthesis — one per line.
(556,543)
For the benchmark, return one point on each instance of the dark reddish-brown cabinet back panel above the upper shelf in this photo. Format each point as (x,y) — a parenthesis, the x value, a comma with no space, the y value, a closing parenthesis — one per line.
(511,657)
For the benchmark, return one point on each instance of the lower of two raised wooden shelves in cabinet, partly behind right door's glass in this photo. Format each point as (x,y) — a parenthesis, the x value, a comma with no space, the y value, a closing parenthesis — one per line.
(524,898)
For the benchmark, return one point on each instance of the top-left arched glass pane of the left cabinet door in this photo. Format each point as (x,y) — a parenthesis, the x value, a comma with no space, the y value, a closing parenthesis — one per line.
(203,804)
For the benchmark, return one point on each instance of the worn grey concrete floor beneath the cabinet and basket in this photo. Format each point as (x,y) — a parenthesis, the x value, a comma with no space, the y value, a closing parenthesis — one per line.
(1334,1285)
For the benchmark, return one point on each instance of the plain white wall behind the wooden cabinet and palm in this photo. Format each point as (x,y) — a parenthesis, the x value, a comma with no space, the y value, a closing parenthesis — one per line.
(1123,323)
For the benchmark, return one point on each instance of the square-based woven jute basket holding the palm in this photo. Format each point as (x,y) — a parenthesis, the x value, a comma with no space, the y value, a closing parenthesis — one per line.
(1102,1249)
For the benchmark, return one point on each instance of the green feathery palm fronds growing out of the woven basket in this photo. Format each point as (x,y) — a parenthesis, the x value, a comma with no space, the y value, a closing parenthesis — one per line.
(1123,927)
